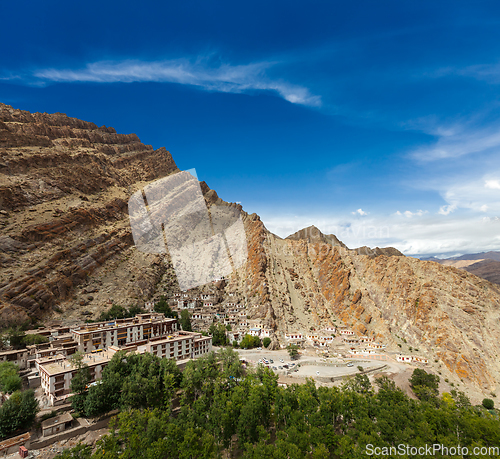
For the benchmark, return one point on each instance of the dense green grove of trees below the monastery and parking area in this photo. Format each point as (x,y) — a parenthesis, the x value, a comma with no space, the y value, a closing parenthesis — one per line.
(226,413)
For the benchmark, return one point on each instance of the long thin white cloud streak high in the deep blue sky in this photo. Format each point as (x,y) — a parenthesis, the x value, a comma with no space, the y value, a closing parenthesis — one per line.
(198,72)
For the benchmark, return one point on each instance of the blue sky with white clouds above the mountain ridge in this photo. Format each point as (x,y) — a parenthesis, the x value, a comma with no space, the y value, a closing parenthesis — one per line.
(376,121)
